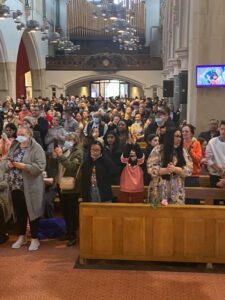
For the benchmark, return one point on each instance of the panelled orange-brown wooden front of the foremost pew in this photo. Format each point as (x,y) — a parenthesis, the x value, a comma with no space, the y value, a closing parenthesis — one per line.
(139,232)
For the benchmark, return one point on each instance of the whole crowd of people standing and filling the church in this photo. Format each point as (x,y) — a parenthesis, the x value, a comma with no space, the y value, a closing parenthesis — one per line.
(79,147)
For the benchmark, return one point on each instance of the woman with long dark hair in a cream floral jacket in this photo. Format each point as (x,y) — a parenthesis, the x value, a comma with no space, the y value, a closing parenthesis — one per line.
(168,165)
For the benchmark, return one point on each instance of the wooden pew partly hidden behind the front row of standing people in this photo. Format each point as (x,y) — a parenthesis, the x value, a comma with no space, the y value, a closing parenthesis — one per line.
(206,195)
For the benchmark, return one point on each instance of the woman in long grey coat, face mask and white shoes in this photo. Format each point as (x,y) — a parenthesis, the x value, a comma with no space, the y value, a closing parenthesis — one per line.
(25,163)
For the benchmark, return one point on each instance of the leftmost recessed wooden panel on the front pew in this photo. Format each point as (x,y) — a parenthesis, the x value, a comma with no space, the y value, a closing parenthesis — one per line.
(102,235)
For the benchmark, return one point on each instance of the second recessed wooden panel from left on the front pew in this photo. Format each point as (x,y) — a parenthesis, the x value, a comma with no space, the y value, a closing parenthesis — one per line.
(134,236)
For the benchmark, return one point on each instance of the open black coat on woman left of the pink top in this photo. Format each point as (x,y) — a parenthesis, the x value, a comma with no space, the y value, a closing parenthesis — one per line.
(105,168)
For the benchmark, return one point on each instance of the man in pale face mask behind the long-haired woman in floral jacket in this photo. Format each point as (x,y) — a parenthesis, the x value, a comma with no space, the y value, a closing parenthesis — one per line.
(162,119)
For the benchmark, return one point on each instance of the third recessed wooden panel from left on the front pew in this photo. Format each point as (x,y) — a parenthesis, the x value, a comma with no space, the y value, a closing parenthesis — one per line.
(163,237)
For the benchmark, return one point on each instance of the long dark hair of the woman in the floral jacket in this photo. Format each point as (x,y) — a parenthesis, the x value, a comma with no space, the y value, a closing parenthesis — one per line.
(169,151)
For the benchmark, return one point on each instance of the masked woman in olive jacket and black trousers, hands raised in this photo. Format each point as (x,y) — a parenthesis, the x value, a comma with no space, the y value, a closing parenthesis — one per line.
(70,159)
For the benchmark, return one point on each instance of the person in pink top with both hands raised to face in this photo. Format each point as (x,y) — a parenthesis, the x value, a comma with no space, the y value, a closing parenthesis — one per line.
(132,177)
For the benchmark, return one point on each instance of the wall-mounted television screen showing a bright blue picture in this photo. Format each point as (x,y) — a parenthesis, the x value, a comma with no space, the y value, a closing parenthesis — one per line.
(210,76)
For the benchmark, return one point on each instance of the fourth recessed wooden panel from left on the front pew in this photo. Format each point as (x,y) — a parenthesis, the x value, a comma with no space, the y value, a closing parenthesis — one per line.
(194,237)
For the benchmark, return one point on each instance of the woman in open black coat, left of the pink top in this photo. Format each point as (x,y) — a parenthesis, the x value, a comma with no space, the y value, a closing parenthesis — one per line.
(97,172)
